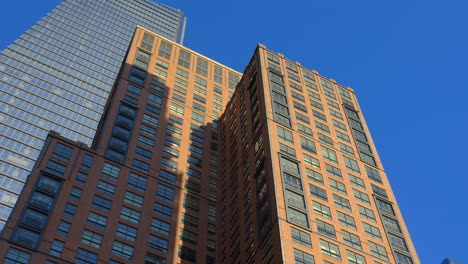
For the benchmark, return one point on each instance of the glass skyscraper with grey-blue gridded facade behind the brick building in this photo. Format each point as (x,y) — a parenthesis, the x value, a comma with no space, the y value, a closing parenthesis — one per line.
(58,75)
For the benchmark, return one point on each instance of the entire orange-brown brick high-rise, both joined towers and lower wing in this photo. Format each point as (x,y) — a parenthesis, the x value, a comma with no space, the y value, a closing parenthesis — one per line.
(195,163)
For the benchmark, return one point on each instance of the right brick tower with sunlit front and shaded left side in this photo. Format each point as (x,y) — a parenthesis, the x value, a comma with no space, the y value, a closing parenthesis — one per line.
(301,180)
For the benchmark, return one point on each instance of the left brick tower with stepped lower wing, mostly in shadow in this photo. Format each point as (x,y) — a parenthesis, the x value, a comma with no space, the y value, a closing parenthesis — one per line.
(146,189)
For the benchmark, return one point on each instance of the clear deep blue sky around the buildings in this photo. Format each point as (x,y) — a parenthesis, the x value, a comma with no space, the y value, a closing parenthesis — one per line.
(406,60)
